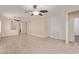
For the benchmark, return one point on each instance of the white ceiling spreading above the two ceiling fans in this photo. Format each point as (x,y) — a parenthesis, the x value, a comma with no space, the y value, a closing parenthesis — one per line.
(18,10)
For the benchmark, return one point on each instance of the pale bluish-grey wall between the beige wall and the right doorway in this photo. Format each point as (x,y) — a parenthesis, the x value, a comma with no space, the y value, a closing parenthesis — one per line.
(57,27)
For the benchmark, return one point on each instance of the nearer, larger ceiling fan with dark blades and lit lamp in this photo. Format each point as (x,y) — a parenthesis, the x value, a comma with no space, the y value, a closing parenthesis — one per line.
(35,11)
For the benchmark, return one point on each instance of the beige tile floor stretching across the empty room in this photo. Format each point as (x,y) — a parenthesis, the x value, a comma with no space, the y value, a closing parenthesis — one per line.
(34,45)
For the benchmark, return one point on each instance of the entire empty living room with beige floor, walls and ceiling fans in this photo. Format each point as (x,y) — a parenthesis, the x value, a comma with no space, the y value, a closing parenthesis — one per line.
(39,29)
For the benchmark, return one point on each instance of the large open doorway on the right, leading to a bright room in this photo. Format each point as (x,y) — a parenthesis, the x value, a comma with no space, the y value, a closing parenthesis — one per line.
(72,27)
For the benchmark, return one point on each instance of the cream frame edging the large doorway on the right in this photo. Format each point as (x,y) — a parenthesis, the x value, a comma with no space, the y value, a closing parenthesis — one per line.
(67,25)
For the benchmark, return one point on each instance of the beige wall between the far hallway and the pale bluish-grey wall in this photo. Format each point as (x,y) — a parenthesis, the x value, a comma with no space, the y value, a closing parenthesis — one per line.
(37,26)
